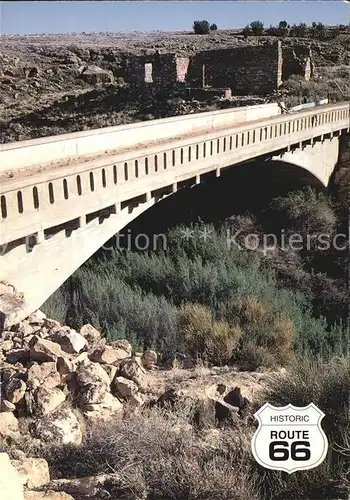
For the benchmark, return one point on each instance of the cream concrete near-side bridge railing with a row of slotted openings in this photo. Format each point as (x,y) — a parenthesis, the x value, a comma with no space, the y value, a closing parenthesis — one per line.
(34,204)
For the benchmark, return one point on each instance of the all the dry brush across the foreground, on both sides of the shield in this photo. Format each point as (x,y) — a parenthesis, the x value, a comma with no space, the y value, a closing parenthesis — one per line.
(156,454)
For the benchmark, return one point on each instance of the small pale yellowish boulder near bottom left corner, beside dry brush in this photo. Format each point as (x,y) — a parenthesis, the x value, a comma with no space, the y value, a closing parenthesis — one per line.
(33,472)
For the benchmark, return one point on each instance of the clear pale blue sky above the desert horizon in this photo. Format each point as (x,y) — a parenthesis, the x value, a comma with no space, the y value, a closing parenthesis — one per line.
(67,17)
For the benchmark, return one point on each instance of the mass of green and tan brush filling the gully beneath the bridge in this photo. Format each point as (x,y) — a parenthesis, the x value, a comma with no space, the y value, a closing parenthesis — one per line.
(217,301)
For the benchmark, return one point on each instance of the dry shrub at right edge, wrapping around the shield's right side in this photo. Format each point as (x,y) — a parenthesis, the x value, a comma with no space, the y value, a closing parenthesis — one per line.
(327,385)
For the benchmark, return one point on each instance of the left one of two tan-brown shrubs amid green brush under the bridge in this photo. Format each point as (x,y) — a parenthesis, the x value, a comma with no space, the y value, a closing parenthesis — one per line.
(206,338)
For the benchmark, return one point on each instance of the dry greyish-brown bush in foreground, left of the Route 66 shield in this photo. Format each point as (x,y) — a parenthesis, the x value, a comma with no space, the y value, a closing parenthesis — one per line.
(157,455)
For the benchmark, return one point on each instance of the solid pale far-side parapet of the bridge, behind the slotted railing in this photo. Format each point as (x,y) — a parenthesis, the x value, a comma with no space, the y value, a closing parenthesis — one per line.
(99,141)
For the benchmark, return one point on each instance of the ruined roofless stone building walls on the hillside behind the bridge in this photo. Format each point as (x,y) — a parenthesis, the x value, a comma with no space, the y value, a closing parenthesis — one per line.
(258,69)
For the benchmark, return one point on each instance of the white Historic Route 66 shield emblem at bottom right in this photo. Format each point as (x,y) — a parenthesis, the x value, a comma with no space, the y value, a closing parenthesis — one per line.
(289,438)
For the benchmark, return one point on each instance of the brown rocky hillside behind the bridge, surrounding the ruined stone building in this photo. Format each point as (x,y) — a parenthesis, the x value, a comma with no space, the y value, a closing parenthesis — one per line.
(55,84)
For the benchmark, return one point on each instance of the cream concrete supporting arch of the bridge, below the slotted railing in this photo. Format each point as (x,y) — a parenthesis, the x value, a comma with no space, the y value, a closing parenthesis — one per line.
(38,268)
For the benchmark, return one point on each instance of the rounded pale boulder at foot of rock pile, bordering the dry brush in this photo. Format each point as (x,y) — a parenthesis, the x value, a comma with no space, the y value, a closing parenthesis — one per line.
(64,428)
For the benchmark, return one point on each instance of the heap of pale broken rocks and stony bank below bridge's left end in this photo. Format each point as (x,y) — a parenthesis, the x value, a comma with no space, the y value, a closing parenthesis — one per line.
(57,384)
